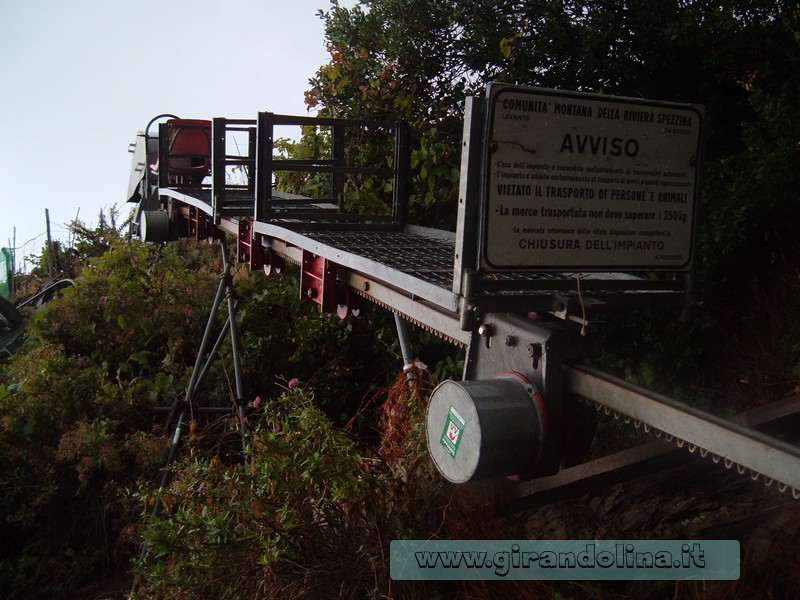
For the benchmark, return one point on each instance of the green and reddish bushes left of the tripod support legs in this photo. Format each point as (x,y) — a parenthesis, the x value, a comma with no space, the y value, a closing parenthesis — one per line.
(75,424)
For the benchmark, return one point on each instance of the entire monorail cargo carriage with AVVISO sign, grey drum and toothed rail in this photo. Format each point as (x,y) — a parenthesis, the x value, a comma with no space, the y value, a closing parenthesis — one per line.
(569,204)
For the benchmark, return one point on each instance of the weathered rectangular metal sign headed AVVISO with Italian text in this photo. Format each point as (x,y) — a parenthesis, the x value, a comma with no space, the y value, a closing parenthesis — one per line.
(589,182)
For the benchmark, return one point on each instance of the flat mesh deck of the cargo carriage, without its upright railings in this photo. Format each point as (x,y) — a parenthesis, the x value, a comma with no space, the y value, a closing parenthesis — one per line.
(420,262)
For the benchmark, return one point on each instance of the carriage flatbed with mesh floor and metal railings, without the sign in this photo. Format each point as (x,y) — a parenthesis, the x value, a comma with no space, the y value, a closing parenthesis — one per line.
(436,278)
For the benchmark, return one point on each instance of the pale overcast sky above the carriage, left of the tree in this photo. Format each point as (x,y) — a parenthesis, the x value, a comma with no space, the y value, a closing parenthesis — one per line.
(78,79)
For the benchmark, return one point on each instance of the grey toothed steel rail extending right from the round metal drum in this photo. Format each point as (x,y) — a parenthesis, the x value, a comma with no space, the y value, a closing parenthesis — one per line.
(751,452)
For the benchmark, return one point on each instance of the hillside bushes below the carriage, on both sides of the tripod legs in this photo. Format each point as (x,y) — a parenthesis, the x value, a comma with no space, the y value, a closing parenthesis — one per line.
(335,466)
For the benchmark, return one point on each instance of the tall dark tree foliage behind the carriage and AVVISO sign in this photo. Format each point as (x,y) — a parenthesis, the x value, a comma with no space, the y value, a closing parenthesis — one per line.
(419,60)
